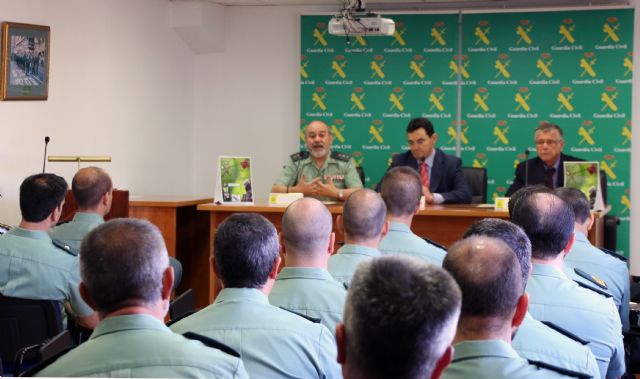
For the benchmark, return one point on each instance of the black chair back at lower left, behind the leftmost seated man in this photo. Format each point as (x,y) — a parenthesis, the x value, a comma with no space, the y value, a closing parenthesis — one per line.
(26,322)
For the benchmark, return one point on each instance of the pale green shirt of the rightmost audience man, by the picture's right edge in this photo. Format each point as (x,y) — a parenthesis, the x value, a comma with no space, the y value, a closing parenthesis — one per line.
(613,271)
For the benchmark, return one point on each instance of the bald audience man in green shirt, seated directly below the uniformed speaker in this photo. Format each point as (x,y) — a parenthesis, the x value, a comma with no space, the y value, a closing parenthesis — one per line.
(305,285)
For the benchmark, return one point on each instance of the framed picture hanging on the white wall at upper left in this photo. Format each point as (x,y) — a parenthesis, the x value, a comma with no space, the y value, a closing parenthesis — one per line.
(25,61)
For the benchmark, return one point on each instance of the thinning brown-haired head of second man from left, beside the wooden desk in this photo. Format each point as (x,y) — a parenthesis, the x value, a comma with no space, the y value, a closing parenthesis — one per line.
(89,185)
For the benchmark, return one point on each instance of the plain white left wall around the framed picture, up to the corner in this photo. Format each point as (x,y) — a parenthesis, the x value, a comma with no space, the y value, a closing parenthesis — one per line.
(121,84)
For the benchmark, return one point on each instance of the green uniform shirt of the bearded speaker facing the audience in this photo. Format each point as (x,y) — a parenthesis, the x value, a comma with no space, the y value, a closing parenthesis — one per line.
(343,173)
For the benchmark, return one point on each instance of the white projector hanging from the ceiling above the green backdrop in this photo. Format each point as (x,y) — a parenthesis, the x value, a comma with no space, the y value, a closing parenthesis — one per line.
(361,25)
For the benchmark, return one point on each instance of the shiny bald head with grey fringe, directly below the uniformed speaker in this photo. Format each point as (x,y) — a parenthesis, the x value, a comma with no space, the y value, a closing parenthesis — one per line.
(306,228)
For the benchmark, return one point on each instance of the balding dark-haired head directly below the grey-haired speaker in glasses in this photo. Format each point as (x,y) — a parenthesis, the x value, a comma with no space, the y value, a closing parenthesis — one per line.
(547,220)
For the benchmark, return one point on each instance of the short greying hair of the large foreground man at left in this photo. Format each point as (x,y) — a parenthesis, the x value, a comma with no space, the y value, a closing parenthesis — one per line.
(122,262)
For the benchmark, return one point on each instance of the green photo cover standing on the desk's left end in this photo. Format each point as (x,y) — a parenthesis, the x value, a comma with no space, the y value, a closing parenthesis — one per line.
(234,184)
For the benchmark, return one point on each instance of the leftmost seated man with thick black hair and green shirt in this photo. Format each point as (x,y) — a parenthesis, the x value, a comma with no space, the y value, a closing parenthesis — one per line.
(32,266)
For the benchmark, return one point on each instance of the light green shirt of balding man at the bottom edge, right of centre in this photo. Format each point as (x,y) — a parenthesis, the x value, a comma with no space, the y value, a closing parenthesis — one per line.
(492,359)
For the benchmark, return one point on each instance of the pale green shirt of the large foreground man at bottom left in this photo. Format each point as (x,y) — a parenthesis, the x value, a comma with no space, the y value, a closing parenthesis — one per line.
(141,346)
